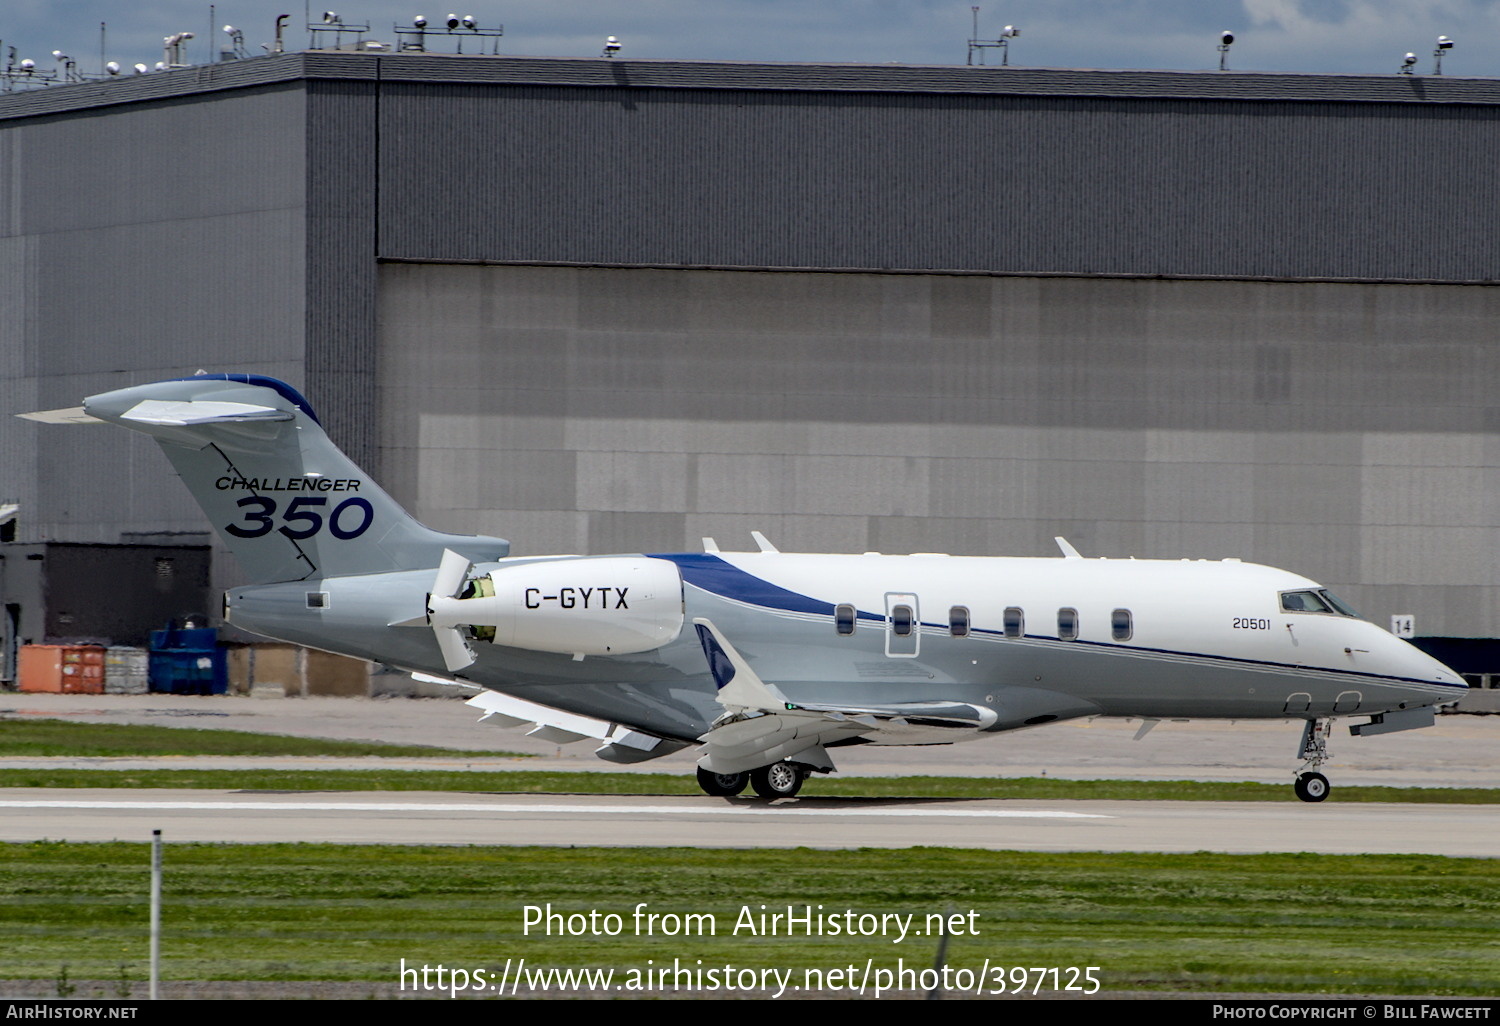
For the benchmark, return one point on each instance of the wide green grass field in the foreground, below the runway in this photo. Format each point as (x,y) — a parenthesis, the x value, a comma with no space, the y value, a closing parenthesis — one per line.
(1190,923)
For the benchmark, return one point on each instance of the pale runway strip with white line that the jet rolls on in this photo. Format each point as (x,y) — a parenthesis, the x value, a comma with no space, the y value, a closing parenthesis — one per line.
(421,818)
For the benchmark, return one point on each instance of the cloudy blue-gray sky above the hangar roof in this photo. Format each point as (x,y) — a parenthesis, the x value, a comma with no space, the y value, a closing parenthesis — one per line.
(1322,37)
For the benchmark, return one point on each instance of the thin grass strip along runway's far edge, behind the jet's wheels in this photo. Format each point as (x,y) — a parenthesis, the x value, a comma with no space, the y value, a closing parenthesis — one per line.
(685,784)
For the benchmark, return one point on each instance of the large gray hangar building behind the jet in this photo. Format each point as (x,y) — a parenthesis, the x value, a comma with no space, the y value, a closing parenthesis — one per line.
(614,305)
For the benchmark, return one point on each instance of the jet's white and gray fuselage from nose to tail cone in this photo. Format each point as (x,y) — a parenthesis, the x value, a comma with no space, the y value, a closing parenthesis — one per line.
(1144,638)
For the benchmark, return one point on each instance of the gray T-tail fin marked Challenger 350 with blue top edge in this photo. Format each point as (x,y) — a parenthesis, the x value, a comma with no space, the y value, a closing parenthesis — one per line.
(284,499)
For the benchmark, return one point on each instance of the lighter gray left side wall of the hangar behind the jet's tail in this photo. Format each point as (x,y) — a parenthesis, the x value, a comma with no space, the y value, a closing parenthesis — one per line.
(145,244)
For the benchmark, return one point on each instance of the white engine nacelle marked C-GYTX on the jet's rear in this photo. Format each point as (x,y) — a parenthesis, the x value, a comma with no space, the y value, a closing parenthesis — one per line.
(590,607)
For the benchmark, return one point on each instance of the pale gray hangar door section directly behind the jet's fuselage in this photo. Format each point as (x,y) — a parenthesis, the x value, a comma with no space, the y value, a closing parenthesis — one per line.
(1342,431)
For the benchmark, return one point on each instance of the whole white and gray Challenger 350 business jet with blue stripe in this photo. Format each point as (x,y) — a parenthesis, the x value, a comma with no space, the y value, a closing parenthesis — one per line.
(770,661)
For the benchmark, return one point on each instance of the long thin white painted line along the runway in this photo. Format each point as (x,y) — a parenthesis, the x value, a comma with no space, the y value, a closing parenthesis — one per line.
(572,811)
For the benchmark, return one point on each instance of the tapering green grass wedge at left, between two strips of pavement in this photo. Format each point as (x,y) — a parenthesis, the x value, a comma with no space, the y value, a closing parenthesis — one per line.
(34,737)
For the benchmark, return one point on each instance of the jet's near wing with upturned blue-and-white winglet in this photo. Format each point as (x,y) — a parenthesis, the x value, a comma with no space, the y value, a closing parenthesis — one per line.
(761,727)
